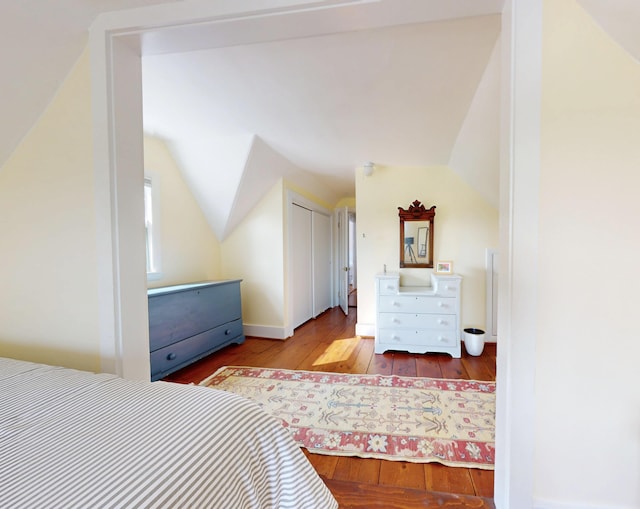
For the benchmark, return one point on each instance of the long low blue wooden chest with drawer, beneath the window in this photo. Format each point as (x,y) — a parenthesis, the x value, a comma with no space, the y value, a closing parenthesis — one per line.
(188,322)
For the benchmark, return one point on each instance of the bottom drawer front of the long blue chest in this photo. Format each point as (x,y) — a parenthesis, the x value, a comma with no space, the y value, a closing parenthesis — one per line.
(182,353)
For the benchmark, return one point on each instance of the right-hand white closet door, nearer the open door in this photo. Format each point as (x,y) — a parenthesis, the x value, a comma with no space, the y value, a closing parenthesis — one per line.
(321,227)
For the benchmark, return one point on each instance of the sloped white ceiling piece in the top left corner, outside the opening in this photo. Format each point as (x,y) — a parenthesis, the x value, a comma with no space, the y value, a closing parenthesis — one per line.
(40,41)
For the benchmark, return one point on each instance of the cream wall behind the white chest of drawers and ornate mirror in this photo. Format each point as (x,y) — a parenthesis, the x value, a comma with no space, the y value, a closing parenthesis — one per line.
(465,225)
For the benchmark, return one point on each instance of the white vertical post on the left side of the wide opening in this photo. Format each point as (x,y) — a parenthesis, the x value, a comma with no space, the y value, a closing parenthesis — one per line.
(119,163)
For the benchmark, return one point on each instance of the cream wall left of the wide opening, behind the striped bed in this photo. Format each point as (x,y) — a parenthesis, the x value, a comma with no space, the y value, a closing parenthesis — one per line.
(48,280)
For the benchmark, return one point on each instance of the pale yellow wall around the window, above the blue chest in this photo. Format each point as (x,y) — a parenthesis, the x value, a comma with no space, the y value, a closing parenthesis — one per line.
(190,251)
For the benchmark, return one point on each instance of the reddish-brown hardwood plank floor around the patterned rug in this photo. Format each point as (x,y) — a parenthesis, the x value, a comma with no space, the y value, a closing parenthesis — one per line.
(328,343)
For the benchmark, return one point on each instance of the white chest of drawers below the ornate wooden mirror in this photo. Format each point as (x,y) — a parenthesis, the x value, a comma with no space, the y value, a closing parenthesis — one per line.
(418,319)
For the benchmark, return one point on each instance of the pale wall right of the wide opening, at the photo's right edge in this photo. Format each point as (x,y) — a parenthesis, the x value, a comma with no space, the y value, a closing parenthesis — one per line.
(587,398)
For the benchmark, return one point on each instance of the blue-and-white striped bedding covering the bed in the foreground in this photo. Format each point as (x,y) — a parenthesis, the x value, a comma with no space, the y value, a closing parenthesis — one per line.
(71,439)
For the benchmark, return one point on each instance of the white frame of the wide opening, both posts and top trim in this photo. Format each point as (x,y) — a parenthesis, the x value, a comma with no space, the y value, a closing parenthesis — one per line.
(116,102)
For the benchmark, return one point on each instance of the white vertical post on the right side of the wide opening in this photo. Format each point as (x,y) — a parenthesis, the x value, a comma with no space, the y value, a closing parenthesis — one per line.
(519,212)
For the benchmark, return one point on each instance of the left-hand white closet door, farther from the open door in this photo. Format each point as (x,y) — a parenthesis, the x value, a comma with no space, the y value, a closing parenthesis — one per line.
(302,267)
